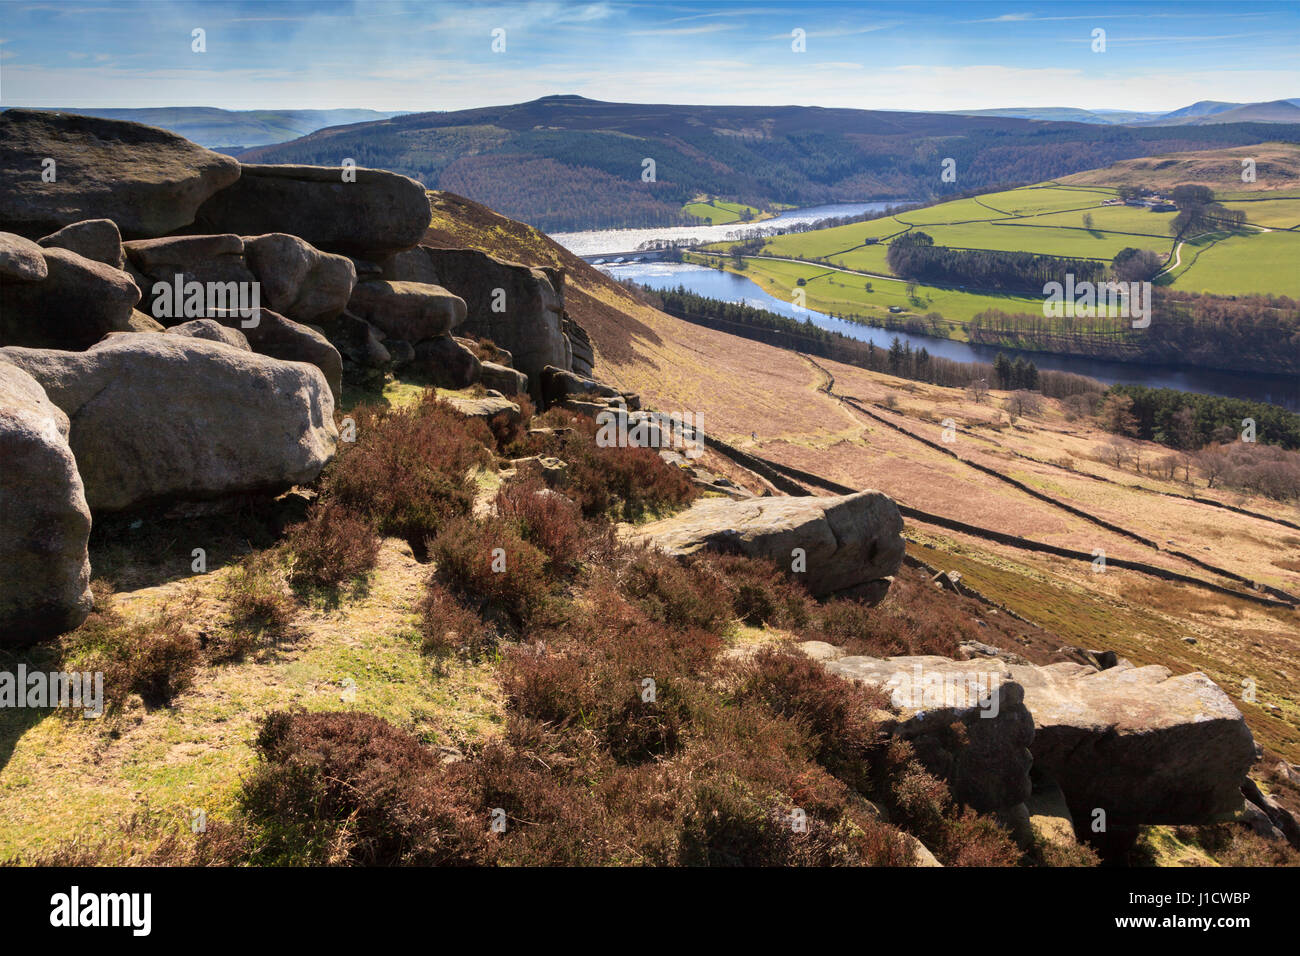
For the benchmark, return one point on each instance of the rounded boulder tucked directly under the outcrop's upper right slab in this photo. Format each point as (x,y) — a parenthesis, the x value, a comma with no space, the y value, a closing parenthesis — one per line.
(298,282)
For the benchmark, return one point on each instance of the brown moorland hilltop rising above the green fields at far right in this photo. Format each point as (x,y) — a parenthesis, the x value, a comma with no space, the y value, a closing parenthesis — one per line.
(1277,167)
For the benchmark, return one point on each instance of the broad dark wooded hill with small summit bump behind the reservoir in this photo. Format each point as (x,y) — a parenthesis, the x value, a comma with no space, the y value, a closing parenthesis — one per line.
(565,163)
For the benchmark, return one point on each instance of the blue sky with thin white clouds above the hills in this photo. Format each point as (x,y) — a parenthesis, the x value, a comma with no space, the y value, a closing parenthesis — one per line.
(415,57)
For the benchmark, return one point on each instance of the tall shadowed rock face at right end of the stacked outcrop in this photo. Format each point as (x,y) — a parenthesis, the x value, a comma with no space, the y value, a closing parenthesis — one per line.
(518,308)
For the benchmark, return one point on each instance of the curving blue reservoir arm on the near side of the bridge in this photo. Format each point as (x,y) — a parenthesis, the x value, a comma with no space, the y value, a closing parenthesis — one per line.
(1277,390)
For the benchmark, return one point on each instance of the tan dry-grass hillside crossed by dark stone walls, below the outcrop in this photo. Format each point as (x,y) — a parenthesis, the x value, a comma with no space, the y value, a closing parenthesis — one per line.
(742,388)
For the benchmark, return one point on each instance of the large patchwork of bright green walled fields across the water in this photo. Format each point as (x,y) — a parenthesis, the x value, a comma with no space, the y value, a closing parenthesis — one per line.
(1064,219)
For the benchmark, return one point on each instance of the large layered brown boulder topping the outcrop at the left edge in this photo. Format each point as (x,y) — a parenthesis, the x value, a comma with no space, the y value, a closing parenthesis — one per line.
(150,183)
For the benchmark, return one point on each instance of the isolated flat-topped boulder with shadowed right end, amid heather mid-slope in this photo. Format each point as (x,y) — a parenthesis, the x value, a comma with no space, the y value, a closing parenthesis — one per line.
(846,540)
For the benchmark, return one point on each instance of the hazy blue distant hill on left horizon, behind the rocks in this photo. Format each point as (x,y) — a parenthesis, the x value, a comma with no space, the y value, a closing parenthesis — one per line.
(236,129)
